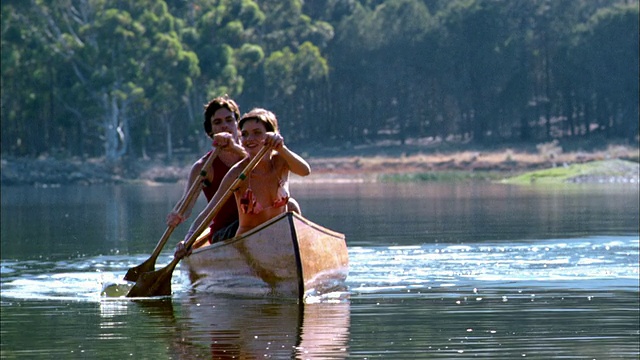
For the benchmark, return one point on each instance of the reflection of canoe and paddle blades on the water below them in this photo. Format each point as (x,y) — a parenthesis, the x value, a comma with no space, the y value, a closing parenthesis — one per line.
(213,327)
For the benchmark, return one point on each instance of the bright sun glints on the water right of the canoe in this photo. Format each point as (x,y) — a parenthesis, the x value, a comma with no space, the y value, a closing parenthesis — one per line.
(594,262)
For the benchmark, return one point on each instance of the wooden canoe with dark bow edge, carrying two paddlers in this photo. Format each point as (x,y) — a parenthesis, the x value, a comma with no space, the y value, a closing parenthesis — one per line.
(286,256)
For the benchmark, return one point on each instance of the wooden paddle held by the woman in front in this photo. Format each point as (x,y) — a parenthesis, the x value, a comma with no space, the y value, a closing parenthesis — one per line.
(158,283)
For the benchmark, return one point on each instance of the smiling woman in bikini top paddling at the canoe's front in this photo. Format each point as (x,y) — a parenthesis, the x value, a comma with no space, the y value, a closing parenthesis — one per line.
(264,194)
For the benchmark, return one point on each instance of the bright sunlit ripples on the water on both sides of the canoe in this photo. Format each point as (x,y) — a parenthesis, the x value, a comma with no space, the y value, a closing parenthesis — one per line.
(396,271)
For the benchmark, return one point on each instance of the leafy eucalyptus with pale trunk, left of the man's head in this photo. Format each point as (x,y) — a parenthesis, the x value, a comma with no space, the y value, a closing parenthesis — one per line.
(145,65)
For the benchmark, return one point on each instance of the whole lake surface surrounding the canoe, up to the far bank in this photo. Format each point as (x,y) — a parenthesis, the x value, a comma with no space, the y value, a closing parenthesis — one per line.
(466,270)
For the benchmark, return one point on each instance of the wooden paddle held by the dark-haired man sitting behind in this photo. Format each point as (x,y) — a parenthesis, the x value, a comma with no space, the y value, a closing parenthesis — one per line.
(149,265)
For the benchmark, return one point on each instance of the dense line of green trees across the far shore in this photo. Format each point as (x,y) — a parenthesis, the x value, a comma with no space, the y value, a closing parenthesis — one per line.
(124,78)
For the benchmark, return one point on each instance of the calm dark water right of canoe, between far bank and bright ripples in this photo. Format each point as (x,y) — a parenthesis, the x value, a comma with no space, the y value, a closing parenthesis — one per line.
(414,214)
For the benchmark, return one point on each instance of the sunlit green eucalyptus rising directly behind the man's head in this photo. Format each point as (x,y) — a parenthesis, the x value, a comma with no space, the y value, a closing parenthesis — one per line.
(221,34)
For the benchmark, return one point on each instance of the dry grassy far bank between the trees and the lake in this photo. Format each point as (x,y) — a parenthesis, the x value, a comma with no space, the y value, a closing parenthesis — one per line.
(362,164)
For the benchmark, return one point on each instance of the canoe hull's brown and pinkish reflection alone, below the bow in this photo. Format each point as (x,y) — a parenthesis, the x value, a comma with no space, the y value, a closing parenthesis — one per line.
(246,328)
